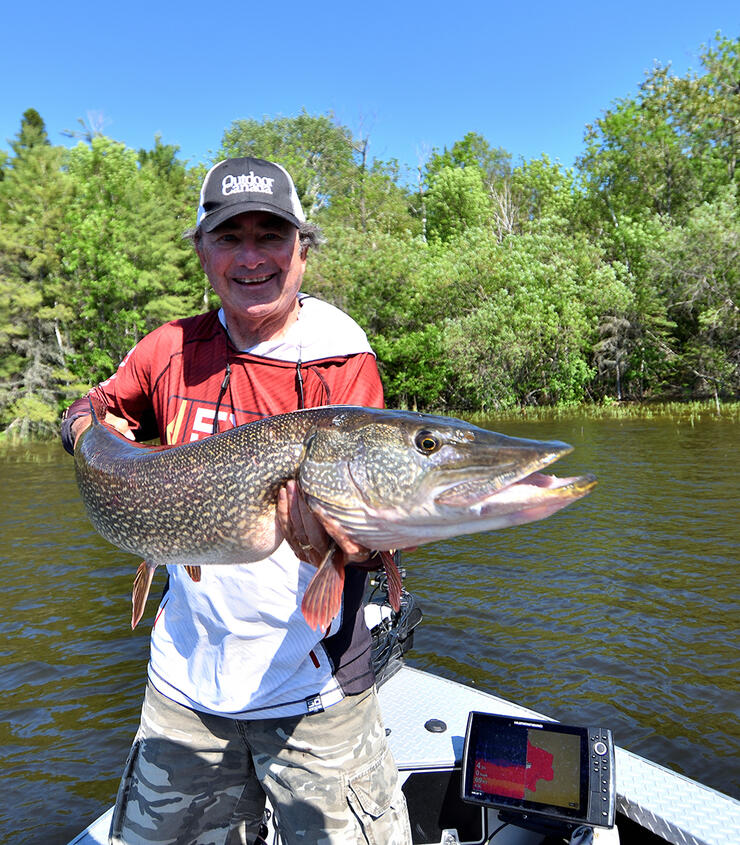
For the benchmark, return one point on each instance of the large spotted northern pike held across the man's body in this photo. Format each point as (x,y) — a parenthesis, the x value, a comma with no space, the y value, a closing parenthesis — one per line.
(389,479)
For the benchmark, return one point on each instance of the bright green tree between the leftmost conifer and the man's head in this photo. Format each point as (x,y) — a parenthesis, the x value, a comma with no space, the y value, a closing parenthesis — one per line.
(123,255)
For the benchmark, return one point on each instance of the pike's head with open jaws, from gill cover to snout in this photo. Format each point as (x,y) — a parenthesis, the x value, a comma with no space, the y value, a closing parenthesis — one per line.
(395,479)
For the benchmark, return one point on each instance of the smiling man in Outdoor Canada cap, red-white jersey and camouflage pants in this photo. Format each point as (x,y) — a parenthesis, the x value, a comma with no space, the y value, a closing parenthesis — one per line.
(243,698)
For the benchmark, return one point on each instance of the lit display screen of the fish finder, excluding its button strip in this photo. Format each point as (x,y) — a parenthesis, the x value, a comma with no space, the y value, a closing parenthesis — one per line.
(510,764)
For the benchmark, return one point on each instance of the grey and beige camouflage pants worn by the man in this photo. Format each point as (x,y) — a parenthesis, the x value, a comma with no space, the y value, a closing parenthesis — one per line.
(195,779)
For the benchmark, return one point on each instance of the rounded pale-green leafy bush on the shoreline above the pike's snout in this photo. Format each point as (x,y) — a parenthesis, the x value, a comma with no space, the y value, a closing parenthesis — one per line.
(528,339)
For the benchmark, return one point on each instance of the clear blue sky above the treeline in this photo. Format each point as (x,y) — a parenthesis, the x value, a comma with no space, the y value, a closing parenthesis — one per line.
(412,76)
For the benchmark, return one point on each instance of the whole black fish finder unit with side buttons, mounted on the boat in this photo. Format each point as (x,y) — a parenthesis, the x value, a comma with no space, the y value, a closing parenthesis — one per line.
(539,774)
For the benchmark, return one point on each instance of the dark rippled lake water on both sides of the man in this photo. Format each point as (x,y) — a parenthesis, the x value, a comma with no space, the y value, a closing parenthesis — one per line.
(621,610)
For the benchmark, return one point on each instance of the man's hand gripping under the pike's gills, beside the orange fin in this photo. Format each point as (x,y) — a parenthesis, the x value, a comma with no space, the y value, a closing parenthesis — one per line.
(309,535)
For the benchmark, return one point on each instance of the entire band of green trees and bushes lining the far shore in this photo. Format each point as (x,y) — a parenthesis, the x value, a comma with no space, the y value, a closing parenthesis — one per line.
(488,287)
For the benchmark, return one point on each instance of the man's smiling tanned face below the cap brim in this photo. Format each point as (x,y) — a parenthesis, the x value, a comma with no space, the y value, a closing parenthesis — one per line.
(255,265)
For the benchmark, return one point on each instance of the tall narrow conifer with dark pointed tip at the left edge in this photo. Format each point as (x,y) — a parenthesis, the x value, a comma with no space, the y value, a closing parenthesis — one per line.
(33,311)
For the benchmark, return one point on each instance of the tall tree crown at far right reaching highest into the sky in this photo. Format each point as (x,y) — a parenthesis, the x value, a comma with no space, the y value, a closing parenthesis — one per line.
(673,145)
